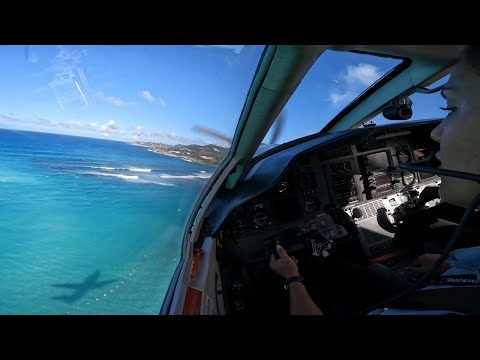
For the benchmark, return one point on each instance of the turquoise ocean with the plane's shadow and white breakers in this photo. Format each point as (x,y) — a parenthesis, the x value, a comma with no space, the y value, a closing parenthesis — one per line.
(90,226)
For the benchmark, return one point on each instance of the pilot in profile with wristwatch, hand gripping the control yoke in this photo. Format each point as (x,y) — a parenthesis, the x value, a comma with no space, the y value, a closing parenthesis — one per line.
(457,135)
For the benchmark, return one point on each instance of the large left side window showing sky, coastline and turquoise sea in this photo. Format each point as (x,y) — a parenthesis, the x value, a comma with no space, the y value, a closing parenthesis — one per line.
(91,223)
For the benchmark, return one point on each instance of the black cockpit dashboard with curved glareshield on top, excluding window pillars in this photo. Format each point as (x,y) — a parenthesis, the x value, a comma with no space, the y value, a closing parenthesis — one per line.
(342,195)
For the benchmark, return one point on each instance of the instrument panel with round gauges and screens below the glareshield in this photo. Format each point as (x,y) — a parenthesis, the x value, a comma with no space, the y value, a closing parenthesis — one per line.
(361,179)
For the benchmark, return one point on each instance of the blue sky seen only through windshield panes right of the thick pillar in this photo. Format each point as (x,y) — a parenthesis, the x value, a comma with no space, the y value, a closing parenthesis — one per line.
(333,82)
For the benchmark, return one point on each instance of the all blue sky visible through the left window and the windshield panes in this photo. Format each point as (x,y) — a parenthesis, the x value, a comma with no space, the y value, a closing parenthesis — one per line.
(160,93)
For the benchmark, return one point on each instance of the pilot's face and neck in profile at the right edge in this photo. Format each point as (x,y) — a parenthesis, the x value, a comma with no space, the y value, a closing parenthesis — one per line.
(459,133)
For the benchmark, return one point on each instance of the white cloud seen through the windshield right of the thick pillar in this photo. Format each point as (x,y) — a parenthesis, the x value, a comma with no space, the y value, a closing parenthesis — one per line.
(354,80)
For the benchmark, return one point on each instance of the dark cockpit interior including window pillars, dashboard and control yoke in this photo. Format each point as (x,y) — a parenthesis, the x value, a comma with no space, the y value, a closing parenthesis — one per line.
(339,193)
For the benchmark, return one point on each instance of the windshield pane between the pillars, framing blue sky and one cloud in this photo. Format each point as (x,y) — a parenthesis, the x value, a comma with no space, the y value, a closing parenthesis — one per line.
(330,85)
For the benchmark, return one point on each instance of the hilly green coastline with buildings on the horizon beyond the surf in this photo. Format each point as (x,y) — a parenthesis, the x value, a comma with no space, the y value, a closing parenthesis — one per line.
(203,154)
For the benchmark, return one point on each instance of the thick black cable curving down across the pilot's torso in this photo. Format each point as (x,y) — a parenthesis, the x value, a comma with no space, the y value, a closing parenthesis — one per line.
(453,239)
